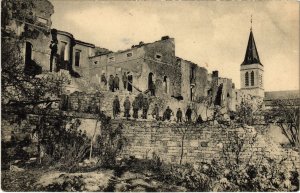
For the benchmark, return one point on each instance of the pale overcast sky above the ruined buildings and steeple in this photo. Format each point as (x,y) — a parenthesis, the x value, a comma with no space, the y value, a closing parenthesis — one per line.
(213,34)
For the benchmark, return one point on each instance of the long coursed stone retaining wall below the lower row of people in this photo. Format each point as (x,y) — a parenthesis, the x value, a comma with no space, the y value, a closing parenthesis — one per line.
(199,144)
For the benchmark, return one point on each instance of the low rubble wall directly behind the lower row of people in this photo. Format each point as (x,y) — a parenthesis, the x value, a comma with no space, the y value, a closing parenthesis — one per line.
(89,102)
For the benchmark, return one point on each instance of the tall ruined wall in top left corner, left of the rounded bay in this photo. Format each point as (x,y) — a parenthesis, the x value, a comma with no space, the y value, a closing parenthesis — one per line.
(31,22)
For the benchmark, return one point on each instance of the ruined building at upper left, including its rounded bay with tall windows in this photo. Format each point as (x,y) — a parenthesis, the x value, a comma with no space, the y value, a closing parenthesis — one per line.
(29,22)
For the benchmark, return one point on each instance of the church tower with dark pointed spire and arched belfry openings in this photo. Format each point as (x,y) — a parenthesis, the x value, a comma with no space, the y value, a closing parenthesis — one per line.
(252,70)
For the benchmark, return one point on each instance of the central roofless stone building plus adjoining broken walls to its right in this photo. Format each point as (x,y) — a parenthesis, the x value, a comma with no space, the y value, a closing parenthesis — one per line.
(148,63)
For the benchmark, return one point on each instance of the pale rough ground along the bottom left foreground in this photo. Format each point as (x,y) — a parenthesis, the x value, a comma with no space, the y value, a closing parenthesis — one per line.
(119,179)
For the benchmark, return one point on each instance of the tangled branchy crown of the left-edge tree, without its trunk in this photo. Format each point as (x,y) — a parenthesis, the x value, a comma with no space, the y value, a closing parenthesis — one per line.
(21,89)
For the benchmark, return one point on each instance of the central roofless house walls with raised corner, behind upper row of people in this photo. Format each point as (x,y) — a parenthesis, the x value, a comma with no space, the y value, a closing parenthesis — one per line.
(140,62)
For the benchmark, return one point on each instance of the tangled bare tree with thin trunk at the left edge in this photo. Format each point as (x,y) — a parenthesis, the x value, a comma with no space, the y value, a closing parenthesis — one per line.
(24,92)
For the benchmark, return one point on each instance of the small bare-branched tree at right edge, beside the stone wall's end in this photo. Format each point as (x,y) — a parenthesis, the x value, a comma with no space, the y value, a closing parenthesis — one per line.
(285,113)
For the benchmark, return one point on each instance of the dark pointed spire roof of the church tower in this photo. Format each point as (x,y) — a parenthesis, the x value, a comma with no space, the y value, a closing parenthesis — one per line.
(251,56)
